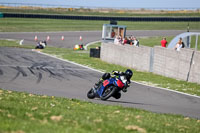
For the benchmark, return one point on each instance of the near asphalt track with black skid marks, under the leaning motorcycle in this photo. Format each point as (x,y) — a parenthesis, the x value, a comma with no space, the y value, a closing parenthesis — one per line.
(28,71)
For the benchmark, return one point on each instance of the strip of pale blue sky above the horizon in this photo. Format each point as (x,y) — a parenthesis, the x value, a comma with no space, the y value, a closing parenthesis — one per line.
(115,3)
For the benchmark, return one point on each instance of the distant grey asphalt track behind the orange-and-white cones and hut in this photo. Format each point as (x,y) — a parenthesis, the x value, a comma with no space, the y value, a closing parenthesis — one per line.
(73,37)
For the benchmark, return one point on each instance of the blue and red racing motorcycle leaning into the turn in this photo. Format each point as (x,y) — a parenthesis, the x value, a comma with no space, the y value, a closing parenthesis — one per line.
(108,88)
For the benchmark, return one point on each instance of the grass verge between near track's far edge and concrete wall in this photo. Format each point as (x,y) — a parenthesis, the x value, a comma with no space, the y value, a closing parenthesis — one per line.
(82,57)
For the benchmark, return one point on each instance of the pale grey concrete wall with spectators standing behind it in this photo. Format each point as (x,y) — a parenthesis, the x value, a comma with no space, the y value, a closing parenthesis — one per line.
(184,64)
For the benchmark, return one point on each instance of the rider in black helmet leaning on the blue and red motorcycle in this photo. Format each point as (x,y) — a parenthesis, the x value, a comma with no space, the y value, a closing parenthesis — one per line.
(123,76)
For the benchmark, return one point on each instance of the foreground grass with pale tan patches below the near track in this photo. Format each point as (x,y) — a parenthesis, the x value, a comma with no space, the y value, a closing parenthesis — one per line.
(28,113)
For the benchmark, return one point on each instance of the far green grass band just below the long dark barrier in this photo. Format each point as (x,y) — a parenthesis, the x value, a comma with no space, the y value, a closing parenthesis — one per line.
(39,25)
